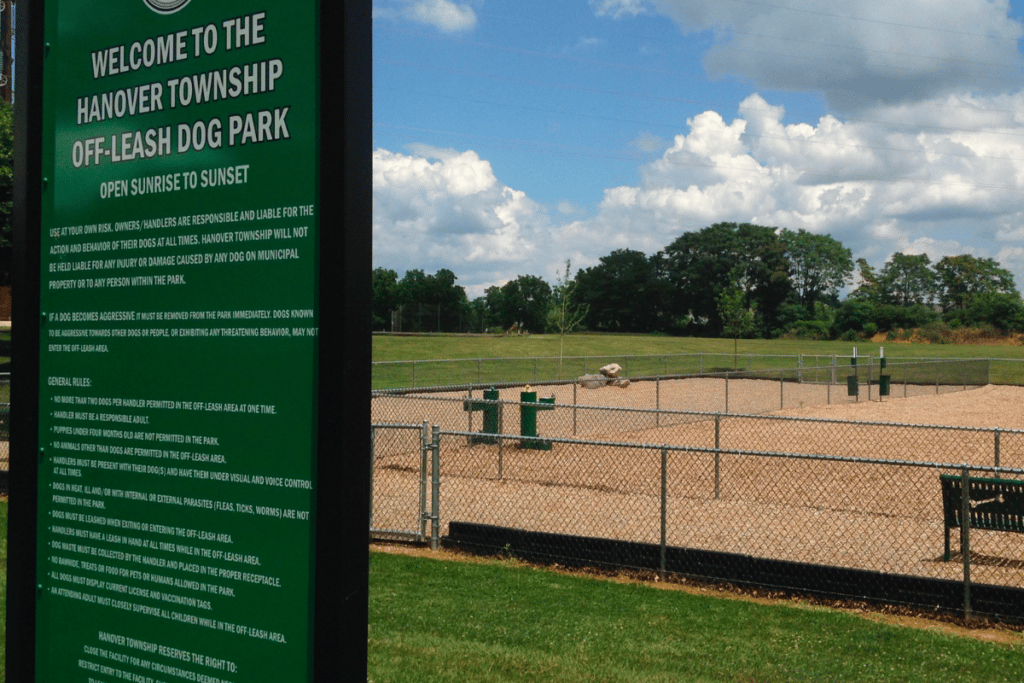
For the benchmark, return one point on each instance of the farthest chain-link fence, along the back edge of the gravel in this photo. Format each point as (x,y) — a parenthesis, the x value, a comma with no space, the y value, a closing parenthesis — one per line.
(833,369)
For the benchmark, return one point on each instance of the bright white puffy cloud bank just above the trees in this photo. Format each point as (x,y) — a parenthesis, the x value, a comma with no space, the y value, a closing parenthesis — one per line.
(938,189)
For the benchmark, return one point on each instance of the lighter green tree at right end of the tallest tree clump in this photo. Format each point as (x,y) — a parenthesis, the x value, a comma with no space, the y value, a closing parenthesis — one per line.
(820,266)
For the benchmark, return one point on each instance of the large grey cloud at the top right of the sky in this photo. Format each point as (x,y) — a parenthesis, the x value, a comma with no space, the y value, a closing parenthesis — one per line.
(860,53)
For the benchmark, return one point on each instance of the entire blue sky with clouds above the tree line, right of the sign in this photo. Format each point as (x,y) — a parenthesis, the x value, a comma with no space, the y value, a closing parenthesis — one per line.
(510,137)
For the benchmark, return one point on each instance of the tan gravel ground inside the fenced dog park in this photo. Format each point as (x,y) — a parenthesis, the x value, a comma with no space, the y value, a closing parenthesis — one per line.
(862,516)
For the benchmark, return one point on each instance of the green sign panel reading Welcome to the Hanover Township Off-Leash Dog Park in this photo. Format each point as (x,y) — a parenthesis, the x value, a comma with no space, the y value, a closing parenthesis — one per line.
(180,323)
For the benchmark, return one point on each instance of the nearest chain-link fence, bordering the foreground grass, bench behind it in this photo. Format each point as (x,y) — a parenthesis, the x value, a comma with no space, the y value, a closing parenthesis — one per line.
(855,528)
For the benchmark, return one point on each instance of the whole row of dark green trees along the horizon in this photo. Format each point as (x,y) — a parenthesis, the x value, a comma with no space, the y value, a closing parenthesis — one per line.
(729,280)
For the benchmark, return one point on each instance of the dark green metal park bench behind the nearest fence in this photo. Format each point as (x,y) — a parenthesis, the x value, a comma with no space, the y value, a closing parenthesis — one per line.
(997,505)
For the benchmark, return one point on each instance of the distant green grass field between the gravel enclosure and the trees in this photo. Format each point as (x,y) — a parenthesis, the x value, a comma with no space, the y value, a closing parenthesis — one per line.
(536,357)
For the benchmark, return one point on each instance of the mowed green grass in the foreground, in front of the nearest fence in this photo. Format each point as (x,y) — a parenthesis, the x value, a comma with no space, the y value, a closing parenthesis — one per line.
(499,621)
